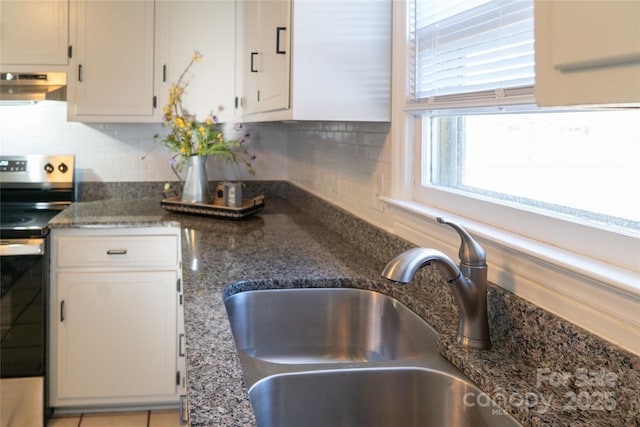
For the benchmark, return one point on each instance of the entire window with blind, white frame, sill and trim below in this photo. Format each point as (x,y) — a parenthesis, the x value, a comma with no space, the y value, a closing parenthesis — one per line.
(551,194)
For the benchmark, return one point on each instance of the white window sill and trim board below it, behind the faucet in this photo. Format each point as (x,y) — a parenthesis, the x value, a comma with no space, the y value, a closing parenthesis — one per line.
(599,297)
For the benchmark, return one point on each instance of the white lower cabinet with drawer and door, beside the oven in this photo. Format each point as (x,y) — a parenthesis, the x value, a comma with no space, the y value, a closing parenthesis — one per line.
(116,326)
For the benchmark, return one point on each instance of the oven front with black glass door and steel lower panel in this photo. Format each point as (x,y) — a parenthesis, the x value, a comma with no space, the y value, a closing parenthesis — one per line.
(22,329)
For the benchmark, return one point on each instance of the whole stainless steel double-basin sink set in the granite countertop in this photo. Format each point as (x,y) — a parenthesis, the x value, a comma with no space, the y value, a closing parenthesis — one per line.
(348,357)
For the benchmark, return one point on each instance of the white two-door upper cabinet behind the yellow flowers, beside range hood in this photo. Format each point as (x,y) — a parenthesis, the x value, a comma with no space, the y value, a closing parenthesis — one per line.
(128,53)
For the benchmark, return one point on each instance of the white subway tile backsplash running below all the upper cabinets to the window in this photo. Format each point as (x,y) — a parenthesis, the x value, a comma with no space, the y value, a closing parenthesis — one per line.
(344,162)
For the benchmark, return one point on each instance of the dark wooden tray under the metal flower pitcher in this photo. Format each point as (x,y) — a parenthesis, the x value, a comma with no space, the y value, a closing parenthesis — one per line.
(217,209)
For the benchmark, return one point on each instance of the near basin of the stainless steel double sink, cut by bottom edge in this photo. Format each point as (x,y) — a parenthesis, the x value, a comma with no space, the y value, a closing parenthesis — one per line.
(387,397)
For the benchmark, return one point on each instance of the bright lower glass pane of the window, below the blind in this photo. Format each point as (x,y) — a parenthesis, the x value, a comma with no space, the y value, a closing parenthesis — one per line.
(578,164)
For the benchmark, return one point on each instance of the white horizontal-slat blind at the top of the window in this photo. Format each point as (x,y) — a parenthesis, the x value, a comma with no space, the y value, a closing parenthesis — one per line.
(470,53)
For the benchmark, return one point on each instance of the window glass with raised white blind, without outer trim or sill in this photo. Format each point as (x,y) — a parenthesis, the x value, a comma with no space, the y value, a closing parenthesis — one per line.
(481,137)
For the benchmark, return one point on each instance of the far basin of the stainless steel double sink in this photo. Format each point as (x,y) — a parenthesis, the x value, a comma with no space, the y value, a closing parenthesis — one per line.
(302,326)
